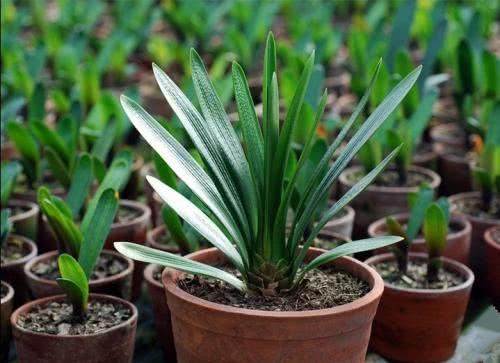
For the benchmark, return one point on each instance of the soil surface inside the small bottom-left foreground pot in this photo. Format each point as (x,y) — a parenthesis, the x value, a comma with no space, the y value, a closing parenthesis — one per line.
(56,318)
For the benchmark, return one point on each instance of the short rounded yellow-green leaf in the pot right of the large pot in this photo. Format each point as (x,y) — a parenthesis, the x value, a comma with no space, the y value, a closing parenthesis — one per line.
(435,229)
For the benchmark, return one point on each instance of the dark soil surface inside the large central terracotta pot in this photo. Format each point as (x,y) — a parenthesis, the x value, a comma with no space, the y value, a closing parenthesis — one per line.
(320,289)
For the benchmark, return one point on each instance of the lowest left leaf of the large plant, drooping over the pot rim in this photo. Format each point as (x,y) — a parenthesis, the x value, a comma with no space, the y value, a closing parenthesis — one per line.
(150,255)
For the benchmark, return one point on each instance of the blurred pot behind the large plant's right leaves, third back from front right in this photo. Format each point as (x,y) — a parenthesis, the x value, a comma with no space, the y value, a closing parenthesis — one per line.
(385,196)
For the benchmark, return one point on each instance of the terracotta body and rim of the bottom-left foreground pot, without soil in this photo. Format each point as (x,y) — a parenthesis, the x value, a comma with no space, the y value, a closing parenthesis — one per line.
(115,344)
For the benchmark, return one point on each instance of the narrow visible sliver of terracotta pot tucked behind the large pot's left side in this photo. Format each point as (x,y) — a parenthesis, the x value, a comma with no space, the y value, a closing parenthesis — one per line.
(161,313)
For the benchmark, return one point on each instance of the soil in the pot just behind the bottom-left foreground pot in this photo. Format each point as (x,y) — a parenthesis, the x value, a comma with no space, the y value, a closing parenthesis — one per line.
(107,265)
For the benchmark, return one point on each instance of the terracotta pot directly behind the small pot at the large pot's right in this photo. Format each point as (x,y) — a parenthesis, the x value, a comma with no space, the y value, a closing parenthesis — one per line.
(457,243)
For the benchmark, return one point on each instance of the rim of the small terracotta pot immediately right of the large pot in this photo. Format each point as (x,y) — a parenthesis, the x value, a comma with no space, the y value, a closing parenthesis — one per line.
(456,267)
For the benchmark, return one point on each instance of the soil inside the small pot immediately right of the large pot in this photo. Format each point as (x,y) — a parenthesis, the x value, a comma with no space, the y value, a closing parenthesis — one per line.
(416,276)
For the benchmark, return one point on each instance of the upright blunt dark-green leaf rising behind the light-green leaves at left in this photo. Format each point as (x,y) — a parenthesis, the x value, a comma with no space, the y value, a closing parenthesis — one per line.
(80,184)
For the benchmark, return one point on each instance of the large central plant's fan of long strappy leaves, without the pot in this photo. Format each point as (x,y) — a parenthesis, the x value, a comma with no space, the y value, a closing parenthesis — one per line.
(246,190)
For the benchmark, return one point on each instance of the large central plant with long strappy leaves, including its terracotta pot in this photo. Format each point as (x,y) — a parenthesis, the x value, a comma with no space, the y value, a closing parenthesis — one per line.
(247,200)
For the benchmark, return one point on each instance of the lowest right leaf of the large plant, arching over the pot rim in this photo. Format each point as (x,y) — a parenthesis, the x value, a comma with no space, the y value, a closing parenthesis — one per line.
(351,248)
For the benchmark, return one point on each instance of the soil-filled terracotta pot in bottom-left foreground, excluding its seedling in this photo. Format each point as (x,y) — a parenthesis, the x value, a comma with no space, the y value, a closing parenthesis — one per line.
(45,331)
